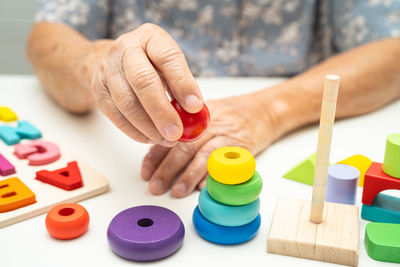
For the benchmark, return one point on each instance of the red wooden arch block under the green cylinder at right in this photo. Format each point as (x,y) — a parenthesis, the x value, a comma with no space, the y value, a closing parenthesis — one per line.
(377,181)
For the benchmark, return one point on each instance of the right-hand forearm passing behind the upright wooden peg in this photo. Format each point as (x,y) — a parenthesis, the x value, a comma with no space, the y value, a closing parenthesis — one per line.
(370,78)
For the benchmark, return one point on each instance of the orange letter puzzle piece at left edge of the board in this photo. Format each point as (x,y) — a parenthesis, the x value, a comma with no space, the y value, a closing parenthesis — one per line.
(14,194)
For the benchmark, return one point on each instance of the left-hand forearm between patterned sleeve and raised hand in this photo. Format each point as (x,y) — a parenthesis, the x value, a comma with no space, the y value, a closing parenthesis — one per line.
(63,60)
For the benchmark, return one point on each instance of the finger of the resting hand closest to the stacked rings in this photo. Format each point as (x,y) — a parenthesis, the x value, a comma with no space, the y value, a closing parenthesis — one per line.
(197,169)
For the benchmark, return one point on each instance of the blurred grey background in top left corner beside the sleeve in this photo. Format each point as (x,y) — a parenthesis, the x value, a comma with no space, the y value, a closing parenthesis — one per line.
(16,18)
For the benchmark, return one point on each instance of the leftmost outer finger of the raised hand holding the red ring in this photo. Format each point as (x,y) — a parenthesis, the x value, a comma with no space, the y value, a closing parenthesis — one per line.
(106,105)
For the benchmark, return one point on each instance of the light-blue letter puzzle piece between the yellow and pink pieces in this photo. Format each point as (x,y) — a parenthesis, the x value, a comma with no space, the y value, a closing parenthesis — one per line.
(24,130)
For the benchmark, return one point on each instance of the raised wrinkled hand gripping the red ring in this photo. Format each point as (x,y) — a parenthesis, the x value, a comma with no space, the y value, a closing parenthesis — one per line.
(131,81)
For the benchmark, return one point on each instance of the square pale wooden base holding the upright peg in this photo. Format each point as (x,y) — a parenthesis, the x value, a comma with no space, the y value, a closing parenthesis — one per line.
(334,240)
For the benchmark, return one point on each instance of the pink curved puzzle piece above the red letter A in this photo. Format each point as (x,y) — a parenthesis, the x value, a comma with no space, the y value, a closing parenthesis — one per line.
(38,152)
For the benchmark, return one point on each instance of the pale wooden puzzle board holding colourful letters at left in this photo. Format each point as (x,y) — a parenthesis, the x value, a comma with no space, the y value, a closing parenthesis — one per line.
(48,195)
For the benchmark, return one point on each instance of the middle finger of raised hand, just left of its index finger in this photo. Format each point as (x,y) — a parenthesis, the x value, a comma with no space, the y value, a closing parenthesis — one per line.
(148,88)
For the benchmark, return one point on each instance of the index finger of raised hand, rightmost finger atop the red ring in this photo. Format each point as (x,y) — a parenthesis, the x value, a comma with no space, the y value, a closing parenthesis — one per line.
(168,58)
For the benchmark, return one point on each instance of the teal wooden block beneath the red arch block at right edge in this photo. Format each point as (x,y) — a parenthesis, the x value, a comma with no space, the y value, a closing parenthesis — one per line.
(384,208)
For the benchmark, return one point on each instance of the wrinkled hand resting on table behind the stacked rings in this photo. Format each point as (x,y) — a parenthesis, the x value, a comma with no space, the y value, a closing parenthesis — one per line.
(237,121)
